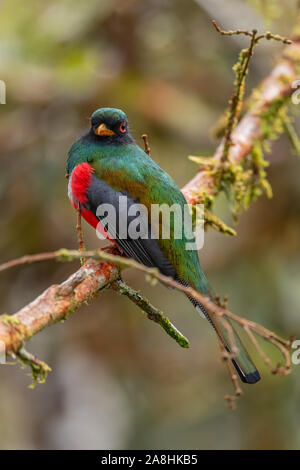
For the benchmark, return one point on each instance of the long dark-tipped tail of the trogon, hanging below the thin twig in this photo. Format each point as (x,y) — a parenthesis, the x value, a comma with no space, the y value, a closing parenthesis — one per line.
(241,361)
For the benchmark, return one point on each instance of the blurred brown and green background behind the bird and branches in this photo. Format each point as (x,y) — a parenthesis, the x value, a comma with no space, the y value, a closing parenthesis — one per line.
(118,380)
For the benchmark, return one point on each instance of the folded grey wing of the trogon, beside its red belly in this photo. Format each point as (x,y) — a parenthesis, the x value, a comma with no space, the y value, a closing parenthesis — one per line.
(102,198)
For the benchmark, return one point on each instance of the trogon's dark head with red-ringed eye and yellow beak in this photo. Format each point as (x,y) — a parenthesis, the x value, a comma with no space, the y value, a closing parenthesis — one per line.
(109,124)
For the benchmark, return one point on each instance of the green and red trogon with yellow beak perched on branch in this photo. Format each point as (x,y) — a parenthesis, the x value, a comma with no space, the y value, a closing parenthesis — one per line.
(106,164)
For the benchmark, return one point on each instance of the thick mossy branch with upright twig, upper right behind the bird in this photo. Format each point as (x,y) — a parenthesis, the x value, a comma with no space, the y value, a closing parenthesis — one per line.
(238,166)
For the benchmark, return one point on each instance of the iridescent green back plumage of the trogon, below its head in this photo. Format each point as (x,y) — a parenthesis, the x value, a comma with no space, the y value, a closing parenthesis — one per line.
(129,168)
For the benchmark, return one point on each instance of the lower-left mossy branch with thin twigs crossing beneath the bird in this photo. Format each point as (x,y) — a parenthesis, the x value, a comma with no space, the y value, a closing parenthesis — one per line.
(57,302)
